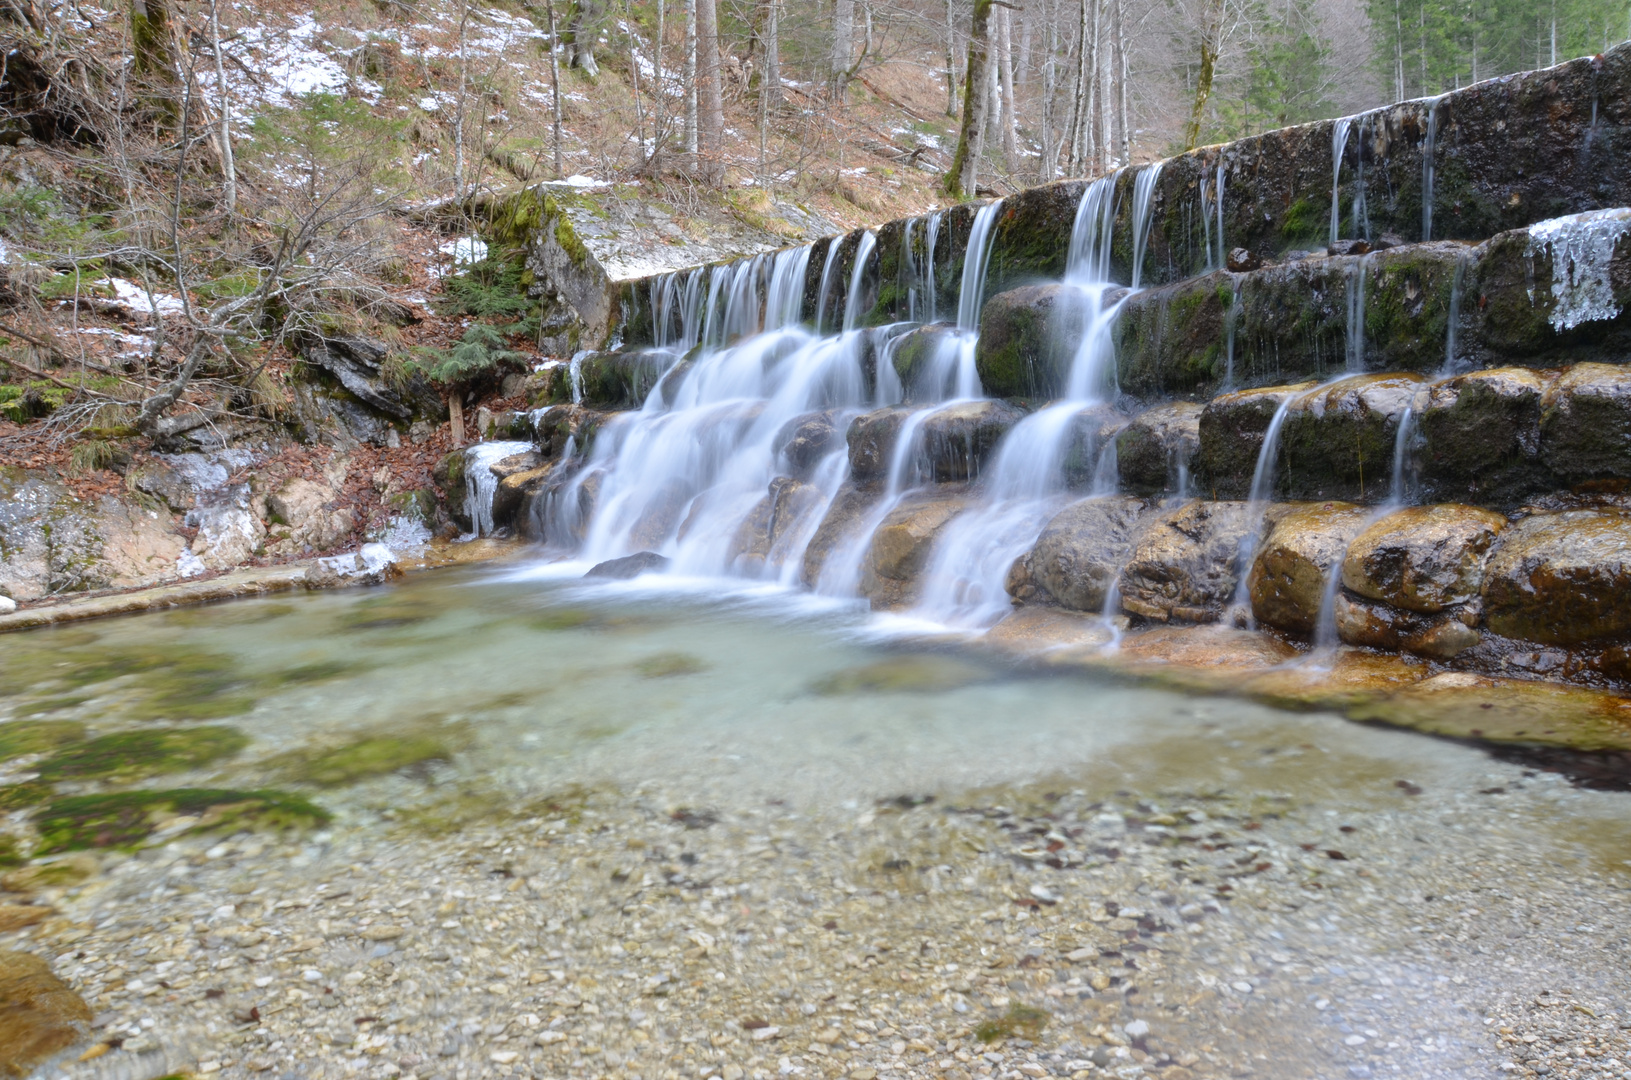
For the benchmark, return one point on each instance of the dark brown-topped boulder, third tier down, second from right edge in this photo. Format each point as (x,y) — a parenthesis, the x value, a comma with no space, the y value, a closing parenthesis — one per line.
(1480,436)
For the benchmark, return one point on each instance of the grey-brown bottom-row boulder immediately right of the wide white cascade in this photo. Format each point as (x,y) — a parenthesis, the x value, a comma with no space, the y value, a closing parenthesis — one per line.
(1082,552)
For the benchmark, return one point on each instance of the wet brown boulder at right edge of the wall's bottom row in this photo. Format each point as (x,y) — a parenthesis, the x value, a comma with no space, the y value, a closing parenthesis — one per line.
(1562,578)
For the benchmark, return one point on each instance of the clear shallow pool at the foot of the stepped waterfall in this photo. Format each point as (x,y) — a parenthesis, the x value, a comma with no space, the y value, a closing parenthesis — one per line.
(513,724)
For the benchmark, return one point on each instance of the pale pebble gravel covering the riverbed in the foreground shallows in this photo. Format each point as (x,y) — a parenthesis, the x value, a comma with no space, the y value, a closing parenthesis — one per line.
(1077,927)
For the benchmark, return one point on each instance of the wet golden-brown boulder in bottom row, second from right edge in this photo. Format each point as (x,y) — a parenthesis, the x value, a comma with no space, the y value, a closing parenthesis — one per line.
(1423,559)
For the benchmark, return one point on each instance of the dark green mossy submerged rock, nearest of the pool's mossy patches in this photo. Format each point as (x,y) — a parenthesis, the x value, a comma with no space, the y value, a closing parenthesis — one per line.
(128,818)
